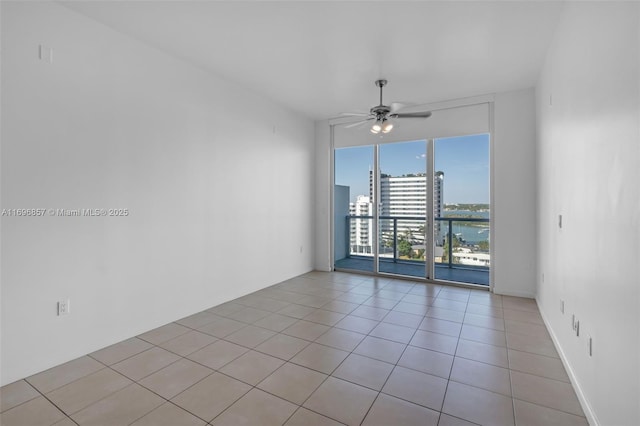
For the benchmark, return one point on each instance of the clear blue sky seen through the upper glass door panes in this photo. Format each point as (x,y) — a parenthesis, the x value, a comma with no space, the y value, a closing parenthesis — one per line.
(464,161)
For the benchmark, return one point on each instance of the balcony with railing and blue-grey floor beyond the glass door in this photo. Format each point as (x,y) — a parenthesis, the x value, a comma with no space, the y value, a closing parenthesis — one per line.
(461,256)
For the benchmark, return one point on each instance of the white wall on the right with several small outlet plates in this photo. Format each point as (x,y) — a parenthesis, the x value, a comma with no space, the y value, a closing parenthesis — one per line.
(588,171)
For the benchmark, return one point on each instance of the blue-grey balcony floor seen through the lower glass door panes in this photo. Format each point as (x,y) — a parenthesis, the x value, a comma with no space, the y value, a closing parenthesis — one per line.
(460,274)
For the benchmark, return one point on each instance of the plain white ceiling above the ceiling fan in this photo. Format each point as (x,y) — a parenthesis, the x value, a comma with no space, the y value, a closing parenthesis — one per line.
(321,58)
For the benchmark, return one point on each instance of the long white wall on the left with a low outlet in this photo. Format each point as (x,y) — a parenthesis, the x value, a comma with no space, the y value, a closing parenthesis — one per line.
(218,182)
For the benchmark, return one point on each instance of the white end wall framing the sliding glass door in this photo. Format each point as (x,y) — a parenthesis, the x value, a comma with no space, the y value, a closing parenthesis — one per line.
(512,186)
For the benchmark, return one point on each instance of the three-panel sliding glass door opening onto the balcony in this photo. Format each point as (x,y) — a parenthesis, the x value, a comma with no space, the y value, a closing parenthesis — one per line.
(418,209)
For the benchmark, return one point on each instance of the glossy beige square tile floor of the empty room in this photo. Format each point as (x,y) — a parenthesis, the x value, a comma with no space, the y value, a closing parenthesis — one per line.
(319,349)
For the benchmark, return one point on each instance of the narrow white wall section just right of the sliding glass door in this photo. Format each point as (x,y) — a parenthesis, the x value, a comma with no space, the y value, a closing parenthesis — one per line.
(513,193)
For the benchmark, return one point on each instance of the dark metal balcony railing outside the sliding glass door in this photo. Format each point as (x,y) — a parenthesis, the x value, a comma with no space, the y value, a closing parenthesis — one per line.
(468,251)
